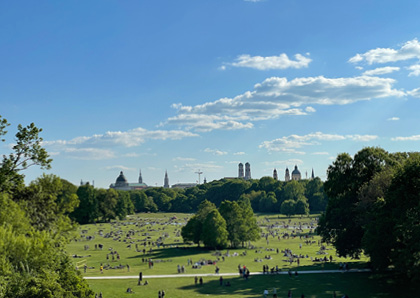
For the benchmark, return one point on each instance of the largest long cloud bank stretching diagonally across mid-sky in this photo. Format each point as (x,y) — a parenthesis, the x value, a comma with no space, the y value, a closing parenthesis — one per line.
(276,96)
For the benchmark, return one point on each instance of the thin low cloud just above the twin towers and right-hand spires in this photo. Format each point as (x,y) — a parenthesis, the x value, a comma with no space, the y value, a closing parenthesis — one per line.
(290,143)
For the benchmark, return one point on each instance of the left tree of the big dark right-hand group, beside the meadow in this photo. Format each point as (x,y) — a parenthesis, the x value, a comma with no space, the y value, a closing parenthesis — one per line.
(341,223)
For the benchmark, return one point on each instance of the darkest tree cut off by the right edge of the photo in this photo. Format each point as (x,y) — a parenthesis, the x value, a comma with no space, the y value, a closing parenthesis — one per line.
(401,212)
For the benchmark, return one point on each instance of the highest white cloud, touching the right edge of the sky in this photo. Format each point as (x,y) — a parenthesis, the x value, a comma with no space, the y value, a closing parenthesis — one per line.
(410,50)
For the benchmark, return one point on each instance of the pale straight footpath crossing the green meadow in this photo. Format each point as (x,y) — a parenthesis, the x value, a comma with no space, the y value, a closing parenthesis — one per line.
(226,274)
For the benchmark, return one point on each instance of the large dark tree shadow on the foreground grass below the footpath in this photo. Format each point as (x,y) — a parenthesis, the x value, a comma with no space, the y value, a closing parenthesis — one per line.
(313,285)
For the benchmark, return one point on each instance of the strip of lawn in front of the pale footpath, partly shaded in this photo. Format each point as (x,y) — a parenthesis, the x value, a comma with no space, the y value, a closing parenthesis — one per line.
(359,285)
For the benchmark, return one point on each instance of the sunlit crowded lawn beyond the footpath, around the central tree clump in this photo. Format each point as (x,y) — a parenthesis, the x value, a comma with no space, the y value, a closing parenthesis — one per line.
(176,253)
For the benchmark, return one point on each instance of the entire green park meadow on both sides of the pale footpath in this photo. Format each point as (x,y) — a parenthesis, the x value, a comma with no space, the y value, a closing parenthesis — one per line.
(127,243)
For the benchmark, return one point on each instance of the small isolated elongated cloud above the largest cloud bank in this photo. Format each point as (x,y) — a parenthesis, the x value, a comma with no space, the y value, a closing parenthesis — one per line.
(281,61)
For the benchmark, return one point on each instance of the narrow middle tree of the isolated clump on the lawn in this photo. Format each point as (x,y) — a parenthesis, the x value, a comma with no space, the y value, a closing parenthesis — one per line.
(214,230)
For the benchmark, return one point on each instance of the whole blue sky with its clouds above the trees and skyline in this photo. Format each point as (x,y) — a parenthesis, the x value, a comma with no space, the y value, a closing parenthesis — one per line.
(196,85)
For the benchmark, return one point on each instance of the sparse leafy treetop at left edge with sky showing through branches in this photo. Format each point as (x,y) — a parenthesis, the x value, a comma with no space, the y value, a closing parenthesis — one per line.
(27,152)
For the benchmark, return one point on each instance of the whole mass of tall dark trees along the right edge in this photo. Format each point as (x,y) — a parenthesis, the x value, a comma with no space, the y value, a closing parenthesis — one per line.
(374,208)
